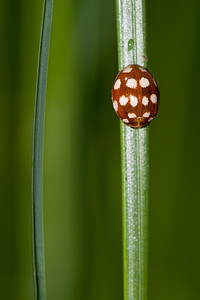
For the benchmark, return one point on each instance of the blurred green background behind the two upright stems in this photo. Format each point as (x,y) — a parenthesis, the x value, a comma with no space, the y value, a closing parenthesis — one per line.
(82,194)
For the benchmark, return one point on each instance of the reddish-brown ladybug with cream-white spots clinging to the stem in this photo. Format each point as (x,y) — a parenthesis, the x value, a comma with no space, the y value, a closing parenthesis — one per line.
(135,96)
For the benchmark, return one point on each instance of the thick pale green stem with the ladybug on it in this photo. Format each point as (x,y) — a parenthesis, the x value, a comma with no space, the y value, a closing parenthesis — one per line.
(135,158)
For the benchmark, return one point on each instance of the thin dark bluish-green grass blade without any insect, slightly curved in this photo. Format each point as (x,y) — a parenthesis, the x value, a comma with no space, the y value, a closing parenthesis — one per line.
(37,160)
